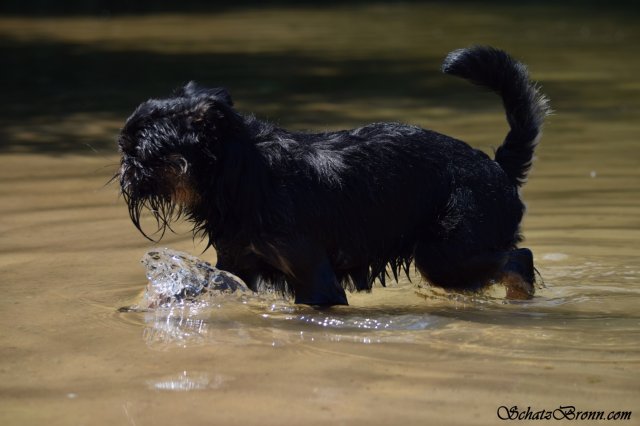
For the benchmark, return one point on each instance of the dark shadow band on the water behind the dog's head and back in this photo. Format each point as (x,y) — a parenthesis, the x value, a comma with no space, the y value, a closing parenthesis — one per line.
(54,80)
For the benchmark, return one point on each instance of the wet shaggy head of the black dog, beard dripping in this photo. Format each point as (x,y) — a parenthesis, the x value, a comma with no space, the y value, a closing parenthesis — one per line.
(169,147)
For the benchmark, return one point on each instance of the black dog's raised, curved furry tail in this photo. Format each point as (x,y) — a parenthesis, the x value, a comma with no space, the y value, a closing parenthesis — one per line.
(525,106)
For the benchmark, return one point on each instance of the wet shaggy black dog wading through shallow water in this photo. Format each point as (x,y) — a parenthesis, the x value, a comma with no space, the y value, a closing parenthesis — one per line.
(313,213)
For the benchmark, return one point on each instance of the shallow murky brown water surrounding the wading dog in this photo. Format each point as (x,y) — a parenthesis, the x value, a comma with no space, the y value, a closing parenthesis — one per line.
(69,256)
